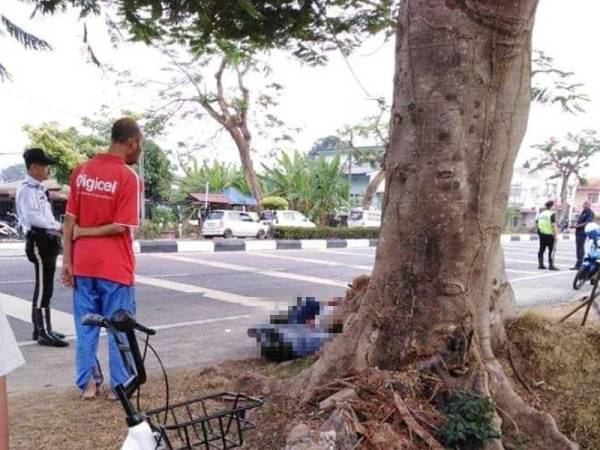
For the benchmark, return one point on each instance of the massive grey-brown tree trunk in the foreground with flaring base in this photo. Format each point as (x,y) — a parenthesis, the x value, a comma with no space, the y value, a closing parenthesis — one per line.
(461,103)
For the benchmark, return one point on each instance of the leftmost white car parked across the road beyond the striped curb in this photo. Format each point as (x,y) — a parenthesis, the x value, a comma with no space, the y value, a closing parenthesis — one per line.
(229,223)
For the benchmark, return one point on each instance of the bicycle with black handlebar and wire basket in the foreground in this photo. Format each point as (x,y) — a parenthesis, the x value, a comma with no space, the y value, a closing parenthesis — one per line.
(211,422)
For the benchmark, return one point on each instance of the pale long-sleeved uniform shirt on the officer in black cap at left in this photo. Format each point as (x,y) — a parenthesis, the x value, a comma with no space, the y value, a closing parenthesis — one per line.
(33,206)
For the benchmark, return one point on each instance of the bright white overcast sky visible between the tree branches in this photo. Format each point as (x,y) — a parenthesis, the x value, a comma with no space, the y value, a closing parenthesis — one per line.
(62,86)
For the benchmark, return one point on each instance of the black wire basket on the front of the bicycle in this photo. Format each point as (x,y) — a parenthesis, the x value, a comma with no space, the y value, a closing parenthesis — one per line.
(212,422)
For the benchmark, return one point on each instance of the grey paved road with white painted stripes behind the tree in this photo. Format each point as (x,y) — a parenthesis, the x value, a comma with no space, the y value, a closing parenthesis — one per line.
(203,303)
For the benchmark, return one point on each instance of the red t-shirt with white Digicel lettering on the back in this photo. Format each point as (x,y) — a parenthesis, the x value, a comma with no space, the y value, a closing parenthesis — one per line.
(104,190)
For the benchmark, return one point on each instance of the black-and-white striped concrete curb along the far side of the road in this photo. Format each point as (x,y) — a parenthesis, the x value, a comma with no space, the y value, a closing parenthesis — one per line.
(9,249)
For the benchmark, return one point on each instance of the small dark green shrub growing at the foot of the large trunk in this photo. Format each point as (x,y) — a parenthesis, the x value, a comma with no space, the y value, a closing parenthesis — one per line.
(469,422)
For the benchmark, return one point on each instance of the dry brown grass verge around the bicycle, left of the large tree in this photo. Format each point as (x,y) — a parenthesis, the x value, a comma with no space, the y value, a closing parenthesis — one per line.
(61,420)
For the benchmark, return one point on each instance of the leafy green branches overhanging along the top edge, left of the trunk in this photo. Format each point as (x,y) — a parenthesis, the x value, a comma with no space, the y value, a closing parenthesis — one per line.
(308,28)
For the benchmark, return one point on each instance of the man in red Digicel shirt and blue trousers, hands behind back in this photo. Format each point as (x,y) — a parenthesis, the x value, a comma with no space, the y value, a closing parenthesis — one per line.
(98,261)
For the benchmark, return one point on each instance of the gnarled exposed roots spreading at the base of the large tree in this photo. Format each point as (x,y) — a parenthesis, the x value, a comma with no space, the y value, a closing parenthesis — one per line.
(467,362)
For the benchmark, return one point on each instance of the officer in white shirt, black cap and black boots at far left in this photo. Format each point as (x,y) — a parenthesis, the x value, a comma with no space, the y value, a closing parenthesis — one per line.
(42,242)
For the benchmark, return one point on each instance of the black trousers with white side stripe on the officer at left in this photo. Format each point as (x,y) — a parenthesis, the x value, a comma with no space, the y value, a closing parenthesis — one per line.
(42,248)
